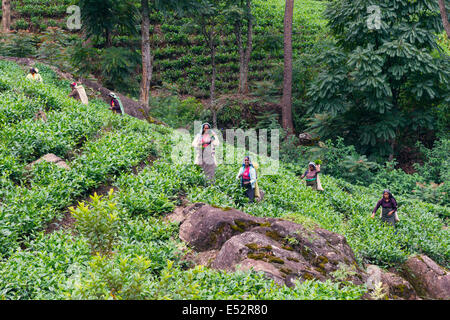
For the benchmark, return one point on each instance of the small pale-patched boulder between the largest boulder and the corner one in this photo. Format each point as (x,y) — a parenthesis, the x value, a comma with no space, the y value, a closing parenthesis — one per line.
(394,286)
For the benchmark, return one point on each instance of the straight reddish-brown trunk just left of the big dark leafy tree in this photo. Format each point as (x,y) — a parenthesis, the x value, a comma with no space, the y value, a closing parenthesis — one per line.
(286,101)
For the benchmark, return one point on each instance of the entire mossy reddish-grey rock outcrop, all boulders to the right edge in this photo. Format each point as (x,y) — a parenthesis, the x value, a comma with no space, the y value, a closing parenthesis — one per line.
(228,239)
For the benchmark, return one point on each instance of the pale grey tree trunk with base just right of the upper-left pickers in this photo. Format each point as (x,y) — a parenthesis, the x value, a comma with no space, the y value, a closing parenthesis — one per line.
(147,67)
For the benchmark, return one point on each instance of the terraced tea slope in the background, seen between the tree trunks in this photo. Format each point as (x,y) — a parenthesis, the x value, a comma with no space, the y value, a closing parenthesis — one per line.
(182,61)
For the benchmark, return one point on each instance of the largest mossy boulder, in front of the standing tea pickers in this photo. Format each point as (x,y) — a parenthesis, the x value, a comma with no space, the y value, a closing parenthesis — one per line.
(283,250)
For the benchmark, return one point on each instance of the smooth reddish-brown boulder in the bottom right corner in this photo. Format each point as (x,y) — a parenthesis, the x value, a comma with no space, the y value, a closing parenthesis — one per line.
(430,280)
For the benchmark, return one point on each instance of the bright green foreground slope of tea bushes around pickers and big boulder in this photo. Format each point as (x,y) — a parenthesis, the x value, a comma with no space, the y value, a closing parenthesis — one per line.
(120,245)
